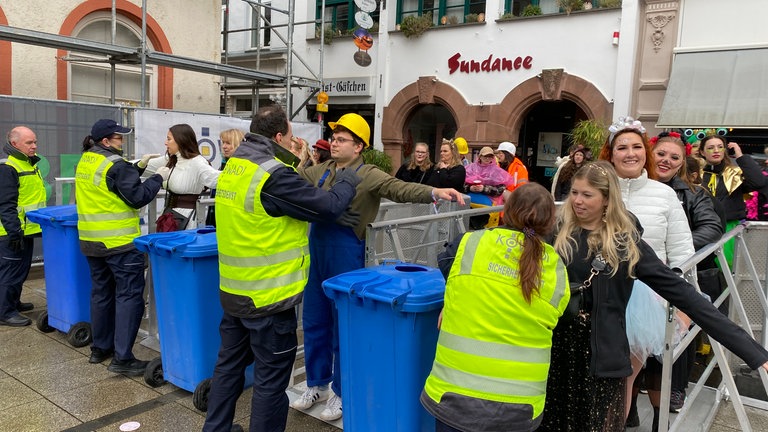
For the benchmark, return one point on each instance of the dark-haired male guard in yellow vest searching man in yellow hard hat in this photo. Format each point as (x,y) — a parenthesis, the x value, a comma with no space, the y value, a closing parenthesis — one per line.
(262,210)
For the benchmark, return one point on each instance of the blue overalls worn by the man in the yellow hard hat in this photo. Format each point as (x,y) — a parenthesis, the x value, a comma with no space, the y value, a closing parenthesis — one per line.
(334,250)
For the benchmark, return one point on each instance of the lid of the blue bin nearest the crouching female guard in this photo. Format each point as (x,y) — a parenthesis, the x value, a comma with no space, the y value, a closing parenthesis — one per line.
(405,287)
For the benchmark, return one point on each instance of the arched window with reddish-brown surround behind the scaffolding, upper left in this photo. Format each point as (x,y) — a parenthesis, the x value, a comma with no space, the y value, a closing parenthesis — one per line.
(91,76)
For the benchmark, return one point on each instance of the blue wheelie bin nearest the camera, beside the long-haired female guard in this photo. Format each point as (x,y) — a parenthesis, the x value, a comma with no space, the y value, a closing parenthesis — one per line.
(387,339)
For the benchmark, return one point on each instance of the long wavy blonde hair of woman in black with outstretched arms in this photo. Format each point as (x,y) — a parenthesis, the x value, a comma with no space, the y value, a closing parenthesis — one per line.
(617,237)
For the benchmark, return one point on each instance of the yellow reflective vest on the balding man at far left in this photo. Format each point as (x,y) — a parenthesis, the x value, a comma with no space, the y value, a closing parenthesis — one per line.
(31,193)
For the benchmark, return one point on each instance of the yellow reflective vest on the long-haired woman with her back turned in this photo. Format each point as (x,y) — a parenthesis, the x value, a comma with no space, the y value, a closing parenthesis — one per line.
(494,348)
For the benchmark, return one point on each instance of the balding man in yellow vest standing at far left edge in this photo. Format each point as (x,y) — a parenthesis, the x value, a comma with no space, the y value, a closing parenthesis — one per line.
(21,190)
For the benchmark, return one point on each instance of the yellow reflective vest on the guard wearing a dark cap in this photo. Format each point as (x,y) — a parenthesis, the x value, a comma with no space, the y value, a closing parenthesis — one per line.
(101,215)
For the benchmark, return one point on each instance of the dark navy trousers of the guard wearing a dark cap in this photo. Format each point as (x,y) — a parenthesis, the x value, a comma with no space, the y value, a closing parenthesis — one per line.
(117,301)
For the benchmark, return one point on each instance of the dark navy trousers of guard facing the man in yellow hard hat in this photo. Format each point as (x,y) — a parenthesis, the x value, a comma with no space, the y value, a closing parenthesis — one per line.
(269,341)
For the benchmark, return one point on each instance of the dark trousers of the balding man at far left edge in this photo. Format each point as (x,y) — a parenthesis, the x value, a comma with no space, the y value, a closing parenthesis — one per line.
(14,269)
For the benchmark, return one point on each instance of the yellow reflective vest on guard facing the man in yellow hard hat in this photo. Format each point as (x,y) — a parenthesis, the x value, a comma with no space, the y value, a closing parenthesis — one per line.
(263,260)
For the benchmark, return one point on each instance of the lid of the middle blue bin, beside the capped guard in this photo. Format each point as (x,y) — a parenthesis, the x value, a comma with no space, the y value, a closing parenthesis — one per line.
(184,244)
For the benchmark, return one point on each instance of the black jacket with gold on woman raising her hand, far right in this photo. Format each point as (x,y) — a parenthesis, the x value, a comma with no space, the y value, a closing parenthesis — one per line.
(752,179)
